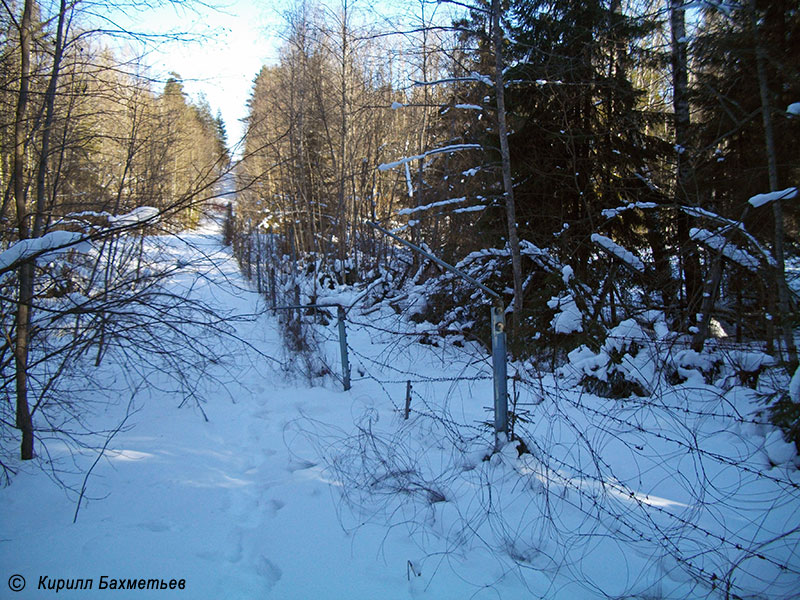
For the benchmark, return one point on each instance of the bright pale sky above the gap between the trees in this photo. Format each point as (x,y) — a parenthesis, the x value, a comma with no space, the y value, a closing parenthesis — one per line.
(232,40)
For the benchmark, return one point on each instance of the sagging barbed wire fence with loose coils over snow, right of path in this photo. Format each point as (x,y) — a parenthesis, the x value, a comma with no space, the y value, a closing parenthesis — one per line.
(673,489)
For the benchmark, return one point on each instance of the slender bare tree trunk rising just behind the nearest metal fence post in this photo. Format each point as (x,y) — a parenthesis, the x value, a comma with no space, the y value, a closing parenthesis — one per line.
(508,185)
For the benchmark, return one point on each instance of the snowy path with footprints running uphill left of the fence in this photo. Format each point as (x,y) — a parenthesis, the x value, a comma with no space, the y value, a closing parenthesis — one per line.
(225,504)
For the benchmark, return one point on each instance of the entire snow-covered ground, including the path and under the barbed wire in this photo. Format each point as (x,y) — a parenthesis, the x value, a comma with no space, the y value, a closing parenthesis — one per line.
(294,491)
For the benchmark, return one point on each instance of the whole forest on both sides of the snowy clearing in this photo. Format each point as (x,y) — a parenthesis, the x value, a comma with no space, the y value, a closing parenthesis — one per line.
(590,161)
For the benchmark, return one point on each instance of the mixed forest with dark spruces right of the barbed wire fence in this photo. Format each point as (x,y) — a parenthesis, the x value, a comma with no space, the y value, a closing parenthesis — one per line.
(590,161)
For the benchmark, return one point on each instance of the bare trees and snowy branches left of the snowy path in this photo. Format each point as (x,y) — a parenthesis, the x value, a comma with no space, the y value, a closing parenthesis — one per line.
(90,158)
